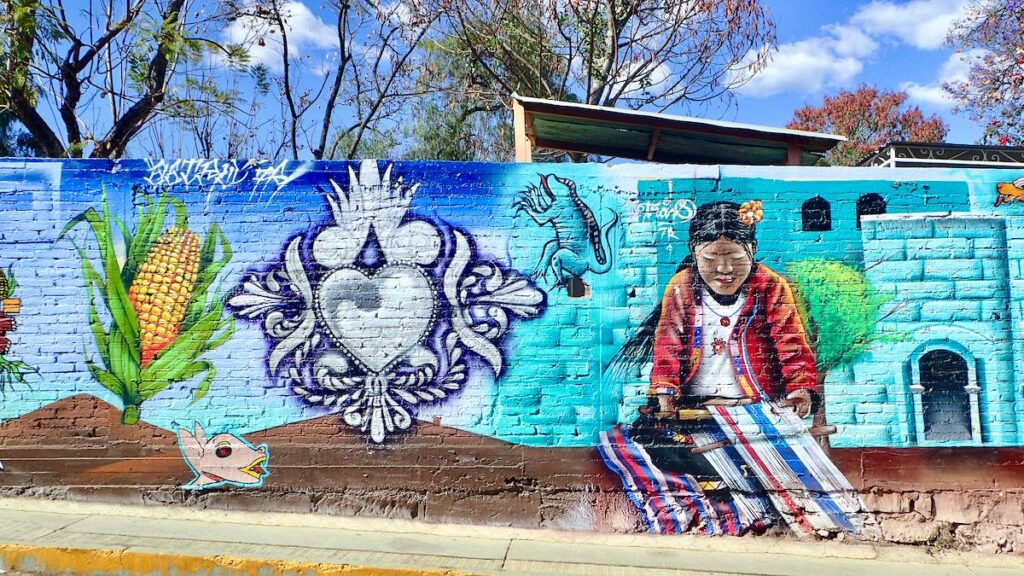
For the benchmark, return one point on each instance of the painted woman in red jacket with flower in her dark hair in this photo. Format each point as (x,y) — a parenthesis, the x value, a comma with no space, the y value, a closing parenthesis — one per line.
(729,324)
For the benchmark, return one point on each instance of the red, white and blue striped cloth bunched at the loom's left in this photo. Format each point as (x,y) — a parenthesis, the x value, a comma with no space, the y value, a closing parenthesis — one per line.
(669,503)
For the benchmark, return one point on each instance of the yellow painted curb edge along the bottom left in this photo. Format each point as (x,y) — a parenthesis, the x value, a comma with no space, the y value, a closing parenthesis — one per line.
(94,561)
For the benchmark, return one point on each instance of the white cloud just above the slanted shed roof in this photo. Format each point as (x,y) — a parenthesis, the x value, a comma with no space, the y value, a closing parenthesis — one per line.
(808,66)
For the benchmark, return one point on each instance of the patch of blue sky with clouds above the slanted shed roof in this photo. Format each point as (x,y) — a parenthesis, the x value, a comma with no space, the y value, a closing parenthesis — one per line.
(827,46)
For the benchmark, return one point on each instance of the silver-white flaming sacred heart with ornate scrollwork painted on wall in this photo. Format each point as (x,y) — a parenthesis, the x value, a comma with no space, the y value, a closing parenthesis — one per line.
(383,313)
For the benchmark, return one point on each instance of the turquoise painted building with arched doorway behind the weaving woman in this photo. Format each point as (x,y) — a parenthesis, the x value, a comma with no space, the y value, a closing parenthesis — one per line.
(948,262)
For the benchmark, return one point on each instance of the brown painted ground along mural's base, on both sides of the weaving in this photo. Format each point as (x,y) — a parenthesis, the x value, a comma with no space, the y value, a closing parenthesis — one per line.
(77,448)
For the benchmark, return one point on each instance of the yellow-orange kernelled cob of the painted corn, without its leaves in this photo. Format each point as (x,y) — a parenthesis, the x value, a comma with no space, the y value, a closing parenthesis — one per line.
(163,289)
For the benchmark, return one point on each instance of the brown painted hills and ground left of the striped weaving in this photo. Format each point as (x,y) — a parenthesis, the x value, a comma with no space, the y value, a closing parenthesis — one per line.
(78,448)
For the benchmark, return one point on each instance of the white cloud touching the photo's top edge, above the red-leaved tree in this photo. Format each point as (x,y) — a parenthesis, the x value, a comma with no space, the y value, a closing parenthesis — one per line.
(922,24)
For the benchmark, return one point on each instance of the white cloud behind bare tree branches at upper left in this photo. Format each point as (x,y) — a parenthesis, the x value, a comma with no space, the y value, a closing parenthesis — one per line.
(306,31)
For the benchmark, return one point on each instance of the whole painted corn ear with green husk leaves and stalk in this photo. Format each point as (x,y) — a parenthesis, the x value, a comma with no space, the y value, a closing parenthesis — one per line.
(163,315)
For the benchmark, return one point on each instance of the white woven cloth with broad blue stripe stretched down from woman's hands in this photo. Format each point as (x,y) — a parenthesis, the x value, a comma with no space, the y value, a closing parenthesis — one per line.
(799,479)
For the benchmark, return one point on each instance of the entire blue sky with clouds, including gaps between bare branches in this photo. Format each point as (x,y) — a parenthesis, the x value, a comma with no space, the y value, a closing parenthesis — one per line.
(824,47)
